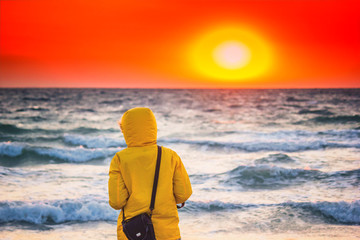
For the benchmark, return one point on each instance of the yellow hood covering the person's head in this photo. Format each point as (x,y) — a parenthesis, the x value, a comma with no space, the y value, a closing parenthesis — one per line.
(139,127)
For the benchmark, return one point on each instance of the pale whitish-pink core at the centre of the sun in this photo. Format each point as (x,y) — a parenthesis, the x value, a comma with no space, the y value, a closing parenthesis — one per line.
(231,55)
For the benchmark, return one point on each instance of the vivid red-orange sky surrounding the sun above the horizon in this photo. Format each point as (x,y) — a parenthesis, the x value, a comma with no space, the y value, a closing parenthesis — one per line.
(116,43)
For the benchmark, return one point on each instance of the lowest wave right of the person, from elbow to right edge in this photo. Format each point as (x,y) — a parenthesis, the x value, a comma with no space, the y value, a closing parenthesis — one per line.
(333,212)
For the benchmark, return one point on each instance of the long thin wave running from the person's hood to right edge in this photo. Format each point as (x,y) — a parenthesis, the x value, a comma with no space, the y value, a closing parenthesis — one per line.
(257,146)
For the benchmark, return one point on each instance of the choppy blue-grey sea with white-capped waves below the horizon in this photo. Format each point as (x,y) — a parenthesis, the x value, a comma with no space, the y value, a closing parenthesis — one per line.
(264,163)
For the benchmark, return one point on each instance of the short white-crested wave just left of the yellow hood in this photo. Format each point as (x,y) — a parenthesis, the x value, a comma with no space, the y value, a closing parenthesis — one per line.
(93,142)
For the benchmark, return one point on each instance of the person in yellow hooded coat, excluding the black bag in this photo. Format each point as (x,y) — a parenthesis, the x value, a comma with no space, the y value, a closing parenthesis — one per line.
(132,173)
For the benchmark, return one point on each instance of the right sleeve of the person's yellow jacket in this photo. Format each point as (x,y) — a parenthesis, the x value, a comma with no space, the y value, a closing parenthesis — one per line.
(181,182)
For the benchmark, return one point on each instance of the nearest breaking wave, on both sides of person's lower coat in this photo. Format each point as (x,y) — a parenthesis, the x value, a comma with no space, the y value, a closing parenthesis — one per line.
(94,209)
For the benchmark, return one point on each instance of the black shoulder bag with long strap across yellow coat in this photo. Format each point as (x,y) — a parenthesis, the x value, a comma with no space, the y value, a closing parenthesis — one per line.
(140,227)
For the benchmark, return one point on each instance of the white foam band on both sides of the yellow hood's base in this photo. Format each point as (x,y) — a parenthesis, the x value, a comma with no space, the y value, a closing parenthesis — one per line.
(288,141)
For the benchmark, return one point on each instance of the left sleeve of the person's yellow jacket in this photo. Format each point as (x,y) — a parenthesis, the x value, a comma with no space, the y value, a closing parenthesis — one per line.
(118,194)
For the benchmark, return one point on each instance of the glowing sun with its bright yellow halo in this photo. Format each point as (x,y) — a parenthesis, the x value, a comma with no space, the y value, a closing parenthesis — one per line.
(229,54)
